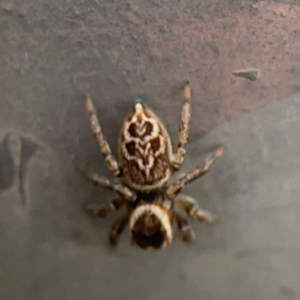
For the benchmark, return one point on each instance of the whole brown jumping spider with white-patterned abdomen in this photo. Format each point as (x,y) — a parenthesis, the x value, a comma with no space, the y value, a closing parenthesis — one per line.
(144,181)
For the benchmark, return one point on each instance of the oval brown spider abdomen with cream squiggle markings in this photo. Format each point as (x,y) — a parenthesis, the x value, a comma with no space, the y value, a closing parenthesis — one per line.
(145,150)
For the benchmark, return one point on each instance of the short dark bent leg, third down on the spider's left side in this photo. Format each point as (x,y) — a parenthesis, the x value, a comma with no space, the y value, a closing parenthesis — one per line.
(100,211)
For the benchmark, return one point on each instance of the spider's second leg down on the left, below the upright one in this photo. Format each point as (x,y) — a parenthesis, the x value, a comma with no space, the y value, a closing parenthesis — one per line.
(119,188)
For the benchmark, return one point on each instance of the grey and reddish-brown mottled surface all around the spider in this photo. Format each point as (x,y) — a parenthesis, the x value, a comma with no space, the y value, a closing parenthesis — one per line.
(53,53)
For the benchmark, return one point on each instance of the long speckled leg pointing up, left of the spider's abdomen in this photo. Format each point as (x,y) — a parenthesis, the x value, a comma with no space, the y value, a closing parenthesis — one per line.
(110,160)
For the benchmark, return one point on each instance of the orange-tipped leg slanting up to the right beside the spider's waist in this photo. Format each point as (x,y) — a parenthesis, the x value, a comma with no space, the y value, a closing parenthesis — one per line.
(185,179)
